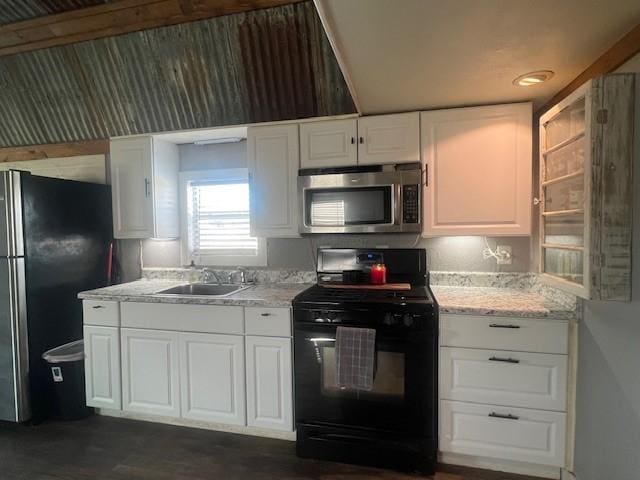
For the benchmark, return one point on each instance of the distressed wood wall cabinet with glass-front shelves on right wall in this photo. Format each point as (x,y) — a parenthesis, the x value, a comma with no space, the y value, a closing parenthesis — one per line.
(586,150)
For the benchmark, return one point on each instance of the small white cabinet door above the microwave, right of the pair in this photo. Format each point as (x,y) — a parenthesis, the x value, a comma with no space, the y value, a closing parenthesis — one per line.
(389,139)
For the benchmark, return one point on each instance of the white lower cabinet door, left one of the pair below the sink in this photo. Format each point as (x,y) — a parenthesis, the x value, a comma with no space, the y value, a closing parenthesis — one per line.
(150,372)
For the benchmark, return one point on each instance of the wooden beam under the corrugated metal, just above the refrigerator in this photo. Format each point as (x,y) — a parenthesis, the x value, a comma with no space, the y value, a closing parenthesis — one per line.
(54,150)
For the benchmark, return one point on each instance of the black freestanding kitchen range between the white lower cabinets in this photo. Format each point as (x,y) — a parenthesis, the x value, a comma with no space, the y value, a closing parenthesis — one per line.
(394,424)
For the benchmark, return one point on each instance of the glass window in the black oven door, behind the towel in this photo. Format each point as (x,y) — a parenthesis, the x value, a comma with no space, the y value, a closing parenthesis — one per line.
(388,380)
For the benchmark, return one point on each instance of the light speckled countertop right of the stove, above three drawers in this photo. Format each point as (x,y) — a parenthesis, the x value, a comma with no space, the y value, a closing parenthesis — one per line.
(500,302)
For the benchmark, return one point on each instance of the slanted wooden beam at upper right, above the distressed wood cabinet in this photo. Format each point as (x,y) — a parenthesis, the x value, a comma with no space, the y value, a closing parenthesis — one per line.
(621,51)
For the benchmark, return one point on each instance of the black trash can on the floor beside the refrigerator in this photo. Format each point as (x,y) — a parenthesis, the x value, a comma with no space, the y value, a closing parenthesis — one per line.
(66,374)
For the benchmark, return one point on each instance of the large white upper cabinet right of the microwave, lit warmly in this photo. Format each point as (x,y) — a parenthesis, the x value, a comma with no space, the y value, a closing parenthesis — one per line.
(478,164)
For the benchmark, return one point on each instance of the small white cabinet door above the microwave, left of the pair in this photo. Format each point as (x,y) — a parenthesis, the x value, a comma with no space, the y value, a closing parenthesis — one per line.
(328,144)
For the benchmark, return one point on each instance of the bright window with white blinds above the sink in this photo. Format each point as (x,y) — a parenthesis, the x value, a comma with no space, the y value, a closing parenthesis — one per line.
(217,211)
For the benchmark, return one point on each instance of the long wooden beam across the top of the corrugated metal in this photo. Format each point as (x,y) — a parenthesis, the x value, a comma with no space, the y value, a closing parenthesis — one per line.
(117,18)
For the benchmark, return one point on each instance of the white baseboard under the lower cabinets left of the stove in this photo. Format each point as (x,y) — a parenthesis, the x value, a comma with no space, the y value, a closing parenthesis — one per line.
(182,422)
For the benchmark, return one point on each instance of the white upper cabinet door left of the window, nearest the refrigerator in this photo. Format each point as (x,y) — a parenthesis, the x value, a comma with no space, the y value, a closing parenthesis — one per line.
(131,175)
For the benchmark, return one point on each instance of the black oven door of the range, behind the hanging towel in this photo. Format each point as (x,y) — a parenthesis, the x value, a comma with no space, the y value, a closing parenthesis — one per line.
(404,391)
